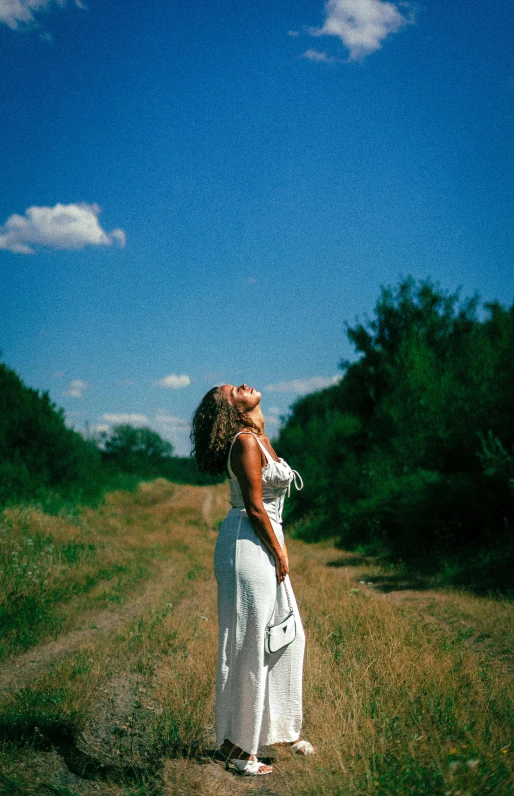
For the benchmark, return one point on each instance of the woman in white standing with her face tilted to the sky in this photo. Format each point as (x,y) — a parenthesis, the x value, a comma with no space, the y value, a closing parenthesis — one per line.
(258,695)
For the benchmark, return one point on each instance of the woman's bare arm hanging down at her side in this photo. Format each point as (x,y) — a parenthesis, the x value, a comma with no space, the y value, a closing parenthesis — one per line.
(246,463)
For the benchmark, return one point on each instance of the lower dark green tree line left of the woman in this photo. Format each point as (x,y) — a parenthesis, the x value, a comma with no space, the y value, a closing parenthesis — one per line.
(42,459)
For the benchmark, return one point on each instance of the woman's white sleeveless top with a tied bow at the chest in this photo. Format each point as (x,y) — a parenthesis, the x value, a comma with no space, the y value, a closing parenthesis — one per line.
(277,478)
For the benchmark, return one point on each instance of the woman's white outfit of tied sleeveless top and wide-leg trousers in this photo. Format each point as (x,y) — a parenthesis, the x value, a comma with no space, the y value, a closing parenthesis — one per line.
(258,695)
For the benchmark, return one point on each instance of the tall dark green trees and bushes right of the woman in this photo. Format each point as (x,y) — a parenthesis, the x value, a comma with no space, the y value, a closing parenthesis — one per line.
(412,452)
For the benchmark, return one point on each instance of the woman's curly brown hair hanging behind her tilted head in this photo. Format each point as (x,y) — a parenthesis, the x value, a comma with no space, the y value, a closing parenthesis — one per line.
(215,423)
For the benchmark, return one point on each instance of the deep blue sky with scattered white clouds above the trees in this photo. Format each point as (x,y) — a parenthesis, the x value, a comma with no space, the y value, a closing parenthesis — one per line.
(194,193)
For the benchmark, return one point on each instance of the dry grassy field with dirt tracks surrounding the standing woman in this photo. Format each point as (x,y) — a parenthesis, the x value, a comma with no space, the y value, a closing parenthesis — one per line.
(109,651)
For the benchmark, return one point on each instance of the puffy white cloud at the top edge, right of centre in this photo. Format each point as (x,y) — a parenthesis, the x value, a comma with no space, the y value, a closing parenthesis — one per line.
(361,25)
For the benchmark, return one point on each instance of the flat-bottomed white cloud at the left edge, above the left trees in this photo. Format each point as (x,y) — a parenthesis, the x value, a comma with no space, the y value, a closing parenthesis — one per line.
(60,227)
